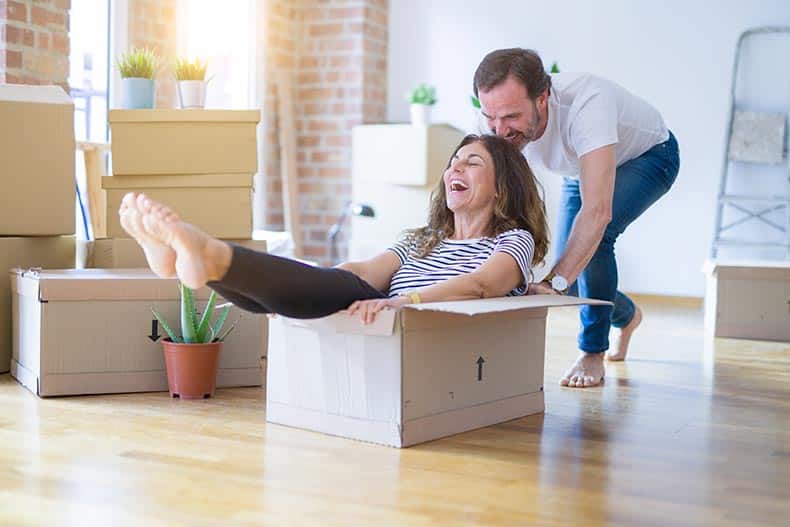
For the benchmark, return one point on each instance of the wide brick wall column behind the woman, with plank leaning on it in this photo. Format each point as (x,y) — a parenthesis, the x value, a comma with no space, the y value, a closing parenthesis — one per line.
(337,52)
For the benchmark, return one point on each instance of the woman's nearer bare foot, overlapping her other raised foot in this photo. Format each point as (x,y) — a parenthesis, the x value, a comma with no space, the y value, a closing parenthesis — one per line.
(199,258)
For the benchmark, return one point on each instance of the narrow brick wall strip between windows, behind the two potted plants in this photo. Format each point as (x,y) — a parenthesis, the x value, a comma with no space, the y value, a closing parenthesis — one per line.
(152,24)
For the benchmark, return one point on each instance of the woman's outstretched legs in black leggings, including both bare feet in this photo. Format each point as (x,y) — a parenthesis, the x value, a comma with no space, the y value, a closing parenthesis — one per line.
(258,282)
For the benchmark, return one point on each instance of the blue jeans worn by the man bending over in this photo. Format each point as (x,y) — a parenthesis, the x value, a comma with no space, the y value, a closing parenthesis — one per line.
(638,184)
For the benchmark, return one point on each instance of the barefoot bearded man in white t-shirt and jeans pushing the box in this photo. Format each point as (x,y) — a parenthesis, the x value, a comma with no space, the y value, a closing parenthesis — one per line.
(617,158)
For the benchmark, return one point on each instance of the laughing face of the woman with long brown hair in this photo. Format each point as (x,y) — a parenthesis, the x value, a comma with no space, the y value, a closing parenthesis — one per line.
(469,181)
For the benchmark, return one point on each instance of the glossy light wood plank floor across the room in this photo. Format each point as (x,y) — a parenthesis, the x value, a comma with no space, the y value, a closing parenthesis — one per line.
(683,433)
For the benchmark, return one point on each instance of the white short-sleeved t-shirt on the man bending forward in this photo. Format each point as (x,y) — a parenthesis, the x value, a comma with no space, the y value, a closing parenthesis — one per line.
(587,112)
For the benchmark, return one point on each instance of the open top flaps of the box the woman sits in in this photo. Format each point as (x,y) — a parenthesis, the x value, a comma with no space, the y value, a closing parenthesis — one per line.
(384,325)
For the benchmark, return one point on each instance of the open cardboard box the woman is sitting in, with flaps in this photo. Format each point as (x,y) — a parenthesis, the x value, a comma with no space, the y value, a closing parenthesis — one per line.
(421,373)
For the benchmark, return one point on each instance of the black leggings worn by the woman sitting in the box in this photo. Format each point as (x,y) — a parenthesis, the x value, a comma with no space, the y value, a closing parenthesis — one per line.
(264,283)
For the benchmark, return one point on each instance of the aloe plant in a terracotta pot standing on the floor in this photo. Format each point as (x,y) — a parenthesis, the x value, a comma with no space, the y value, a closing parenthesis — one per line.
(192,358)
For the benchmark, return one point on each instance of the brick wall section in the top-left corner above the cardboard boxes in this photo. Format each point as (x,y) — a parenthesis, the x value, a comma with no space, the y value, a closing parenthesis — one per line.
(34,42)
